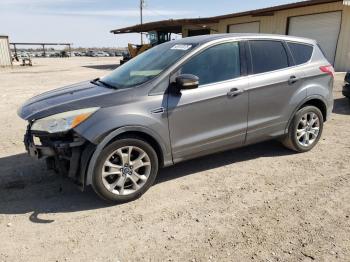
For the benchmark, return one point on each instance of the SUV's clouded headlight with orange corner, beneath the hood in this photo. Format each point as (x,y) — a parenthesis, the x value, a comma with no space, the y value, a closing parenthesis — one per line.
(64,121)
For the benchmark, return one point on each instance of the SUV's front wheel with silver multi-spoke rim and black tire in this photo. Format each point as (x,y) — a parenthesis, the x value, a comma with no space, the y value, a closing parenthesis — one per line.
(125,170)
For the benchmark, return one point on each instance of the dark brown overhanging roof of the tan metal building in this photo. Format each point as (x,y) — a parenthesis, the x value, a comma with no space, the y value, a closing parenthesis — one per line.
(175,25)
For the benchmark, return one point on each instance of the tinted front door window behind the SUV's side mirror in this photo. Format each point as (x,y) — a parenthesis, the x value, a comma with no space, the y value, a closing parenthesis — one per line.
(215,64)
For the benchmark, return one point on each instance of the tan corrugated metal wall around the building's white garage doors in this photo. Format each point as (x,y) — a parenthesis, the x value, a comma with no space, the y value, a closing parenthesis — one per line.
(278,24)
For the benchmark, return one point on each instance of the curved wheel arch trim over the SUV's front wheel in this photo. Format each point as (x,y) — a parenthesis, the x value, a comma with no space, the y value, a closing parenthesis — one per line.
(167,158)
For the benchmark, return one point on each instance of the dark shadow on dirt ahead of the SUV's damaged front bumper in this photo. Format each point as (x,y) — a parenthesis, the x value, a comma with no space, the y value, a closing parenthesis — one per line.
(36,190)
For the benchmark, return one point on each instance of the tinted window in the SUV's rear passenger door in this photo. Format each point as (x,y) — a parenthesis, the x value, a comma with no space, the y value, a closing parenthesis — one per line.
(268,56)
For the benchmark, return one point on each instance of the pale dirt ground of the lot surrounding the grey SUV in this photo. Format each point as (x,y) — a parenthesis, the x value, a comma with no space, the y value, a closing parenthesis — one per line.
(259,203)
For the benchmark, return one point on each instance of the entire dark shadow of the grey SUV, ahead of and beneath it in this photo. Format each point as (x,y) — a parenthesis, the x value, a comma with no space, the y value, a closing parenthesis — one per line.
(53,194)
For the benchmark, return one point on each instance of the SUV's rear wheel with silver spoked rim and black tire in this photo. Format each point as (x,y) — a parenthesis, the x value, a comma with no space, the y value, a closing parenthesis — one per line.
(305,129)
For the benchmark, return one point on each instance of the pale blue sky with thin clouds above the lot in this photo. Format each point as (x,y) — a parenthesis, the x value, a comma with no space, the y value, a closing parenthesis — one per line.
(87,23)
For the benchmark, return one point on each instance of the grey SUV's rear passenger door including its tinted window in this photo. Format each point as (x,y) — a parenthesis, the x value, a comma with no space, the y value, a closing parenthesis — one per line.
(274,88)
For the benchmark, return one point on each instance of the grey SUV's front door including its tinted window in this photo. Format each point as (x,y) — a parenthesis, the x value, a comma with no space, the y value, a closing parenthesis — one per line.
(212,117)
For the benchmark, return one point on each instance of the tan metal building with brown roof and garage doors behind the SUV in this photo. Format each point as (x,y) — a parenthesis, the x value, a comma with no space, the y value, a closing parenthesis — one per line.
(327,21)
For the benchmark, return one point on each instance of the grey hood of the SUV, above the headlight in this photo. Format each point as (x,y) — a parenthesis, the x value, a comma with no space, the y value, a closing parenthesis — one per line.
(73,97)
